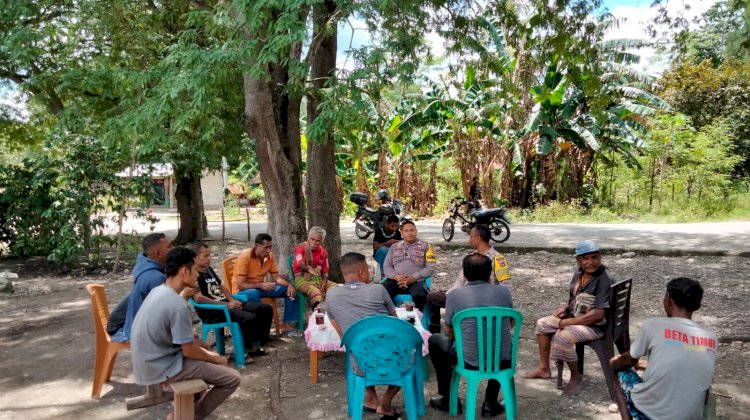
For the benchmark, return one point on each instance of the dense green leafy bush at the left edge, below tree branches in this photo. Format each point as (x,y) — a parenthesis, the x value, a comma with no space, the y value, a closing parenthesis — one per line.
(54,204)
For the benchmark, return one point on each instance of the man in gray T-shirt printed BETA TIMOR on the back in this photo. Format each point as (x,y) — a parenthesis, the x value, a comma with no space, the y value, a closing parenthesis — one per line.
(681,357)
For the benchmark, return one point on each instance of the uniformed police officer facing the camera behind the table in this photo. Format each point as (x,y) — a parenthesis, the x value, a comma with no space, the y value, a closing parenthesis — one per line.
(407,265)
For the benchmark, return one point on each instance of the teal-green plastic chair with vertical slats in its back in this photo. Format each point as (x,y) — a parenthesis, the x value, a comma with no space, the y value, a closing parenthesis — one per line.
(489,325)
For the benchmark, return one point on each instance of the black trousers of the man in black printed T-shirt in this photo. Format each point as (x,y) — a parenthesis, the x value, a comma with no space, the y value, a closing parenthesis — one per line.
(254,319)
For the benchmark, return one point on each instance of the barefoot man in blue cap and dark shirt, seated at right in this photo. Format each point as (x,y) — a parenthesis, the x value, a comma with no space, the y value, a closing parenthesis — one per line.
(582,319)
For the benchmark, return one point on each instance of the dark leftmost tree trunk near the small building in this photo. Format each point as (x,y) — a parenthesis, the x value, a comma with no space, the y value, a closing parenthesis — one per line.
(189,198)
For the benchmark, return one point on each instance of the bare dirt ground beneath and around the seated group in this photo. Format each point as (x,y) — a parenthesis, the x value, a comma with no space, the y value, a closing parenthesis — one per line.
(47,343)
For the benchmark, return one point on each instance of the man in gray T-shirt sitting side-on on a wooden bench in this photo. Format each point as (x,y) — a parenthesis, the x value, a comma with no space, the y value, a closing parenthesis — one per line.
(162,343)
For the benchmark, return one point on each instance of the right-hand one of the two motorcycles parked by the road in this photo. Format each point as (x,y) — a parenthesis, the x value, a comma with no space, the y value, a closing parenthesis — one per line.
(496,219)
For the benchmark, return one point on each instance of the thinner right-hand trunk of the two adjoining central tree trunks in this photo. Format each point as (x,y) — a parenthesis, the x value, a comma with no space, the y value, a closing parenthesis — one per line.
(322,204)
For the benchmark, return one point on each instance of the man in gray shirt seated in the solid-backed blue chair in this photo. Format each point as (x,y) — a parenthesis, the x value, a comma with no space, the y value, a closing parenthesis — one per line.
(355,300)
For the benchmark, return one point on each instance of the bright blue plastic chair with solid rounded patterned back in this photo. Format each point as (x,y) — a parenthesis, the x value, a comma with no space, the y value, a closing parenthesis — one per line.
(388,351)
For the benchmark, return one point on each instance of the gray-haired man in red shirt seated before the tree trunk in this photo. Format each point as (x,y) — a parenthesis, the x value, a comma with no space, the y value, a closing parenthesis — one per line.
(310,266)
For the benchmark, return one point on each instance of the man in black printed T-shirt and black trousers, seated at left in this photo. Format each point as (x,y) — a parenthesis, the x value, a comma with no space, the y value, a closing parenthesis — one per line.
(254,318)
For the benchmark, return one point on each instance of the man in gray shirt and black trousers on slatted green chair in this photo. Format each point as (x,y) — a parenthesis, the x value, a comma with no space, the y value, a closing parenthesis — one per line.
(478,292)
